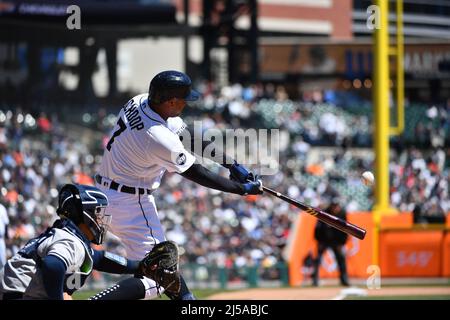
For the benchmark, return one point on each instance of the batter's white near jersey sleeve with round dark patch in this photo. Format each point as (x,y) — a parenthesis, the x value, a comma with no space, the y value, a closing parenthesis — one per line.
(168,151)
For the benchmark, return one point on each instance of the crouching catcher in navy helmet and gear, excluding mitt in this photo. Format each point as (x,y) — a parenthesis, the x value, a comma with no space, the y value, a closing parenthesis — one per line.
(61,259)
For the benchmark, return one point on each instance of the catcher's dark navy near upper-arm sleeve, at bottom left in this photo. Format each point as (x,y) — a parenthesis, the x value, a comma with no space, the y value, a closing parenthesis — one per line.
(53,273)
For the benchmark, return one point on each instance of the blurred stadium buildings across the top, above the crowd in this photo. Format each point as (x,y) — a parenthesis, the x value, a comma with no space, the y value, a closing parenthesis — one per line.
(303,44)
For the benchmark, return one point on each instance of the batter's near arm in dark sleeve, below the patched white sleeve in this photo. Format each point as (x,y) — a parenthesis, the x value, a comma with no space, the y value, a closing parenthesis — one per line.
(209,179)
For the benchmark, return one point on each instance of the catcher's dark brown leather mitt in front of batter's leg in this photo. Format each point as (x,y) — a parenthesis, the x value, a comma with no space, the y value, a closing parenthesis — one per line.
(161,265)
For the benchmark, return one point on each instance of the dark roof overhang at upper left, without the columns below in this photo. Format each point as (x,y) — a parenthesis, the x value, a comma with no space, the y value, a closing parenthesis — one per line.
(46,20)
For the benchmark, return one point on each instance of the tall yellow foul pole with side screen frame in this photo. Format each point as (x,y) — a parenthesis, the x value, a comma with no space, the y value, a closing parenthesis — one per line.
(381,107)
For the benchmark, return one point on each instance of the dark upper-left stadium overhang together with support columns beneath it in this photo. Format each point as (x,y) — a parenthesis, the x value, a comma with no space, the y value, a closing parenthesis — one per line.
(103,23)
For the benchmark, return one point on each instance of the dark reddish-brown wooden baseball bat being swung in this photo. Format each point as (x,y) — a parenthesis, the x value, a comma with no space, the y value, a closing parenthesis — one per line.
(327,218)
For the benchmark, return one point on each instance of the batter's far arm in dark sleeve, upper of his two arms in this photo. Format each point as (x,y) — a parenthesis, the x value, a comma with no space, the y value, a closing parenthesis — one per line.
(190,142)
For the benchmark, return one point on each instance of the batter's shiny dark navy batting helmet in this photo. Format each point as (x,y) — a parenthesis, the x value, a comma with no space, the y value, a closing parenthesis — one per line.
(171,84)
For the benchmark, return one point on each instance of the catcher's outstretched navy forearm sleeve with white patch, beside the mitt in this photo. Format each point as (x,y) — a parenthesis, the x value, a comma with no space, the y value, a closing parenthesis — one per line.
(112,263)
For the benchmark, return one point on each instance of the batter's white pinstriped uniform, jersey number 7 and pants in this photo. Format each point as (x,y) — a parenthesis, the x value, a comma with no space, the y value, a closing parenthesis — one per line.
(142,147)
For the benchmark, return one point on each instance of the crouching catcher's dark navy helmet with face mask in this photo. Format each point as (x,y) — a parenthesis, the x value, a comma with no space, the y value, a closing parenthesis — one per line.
(85,204)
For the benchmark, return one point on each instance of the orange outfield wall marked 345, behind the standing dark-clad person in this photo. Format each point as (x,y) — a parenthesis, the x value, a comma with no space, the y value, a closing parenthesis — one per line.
(404,250)
